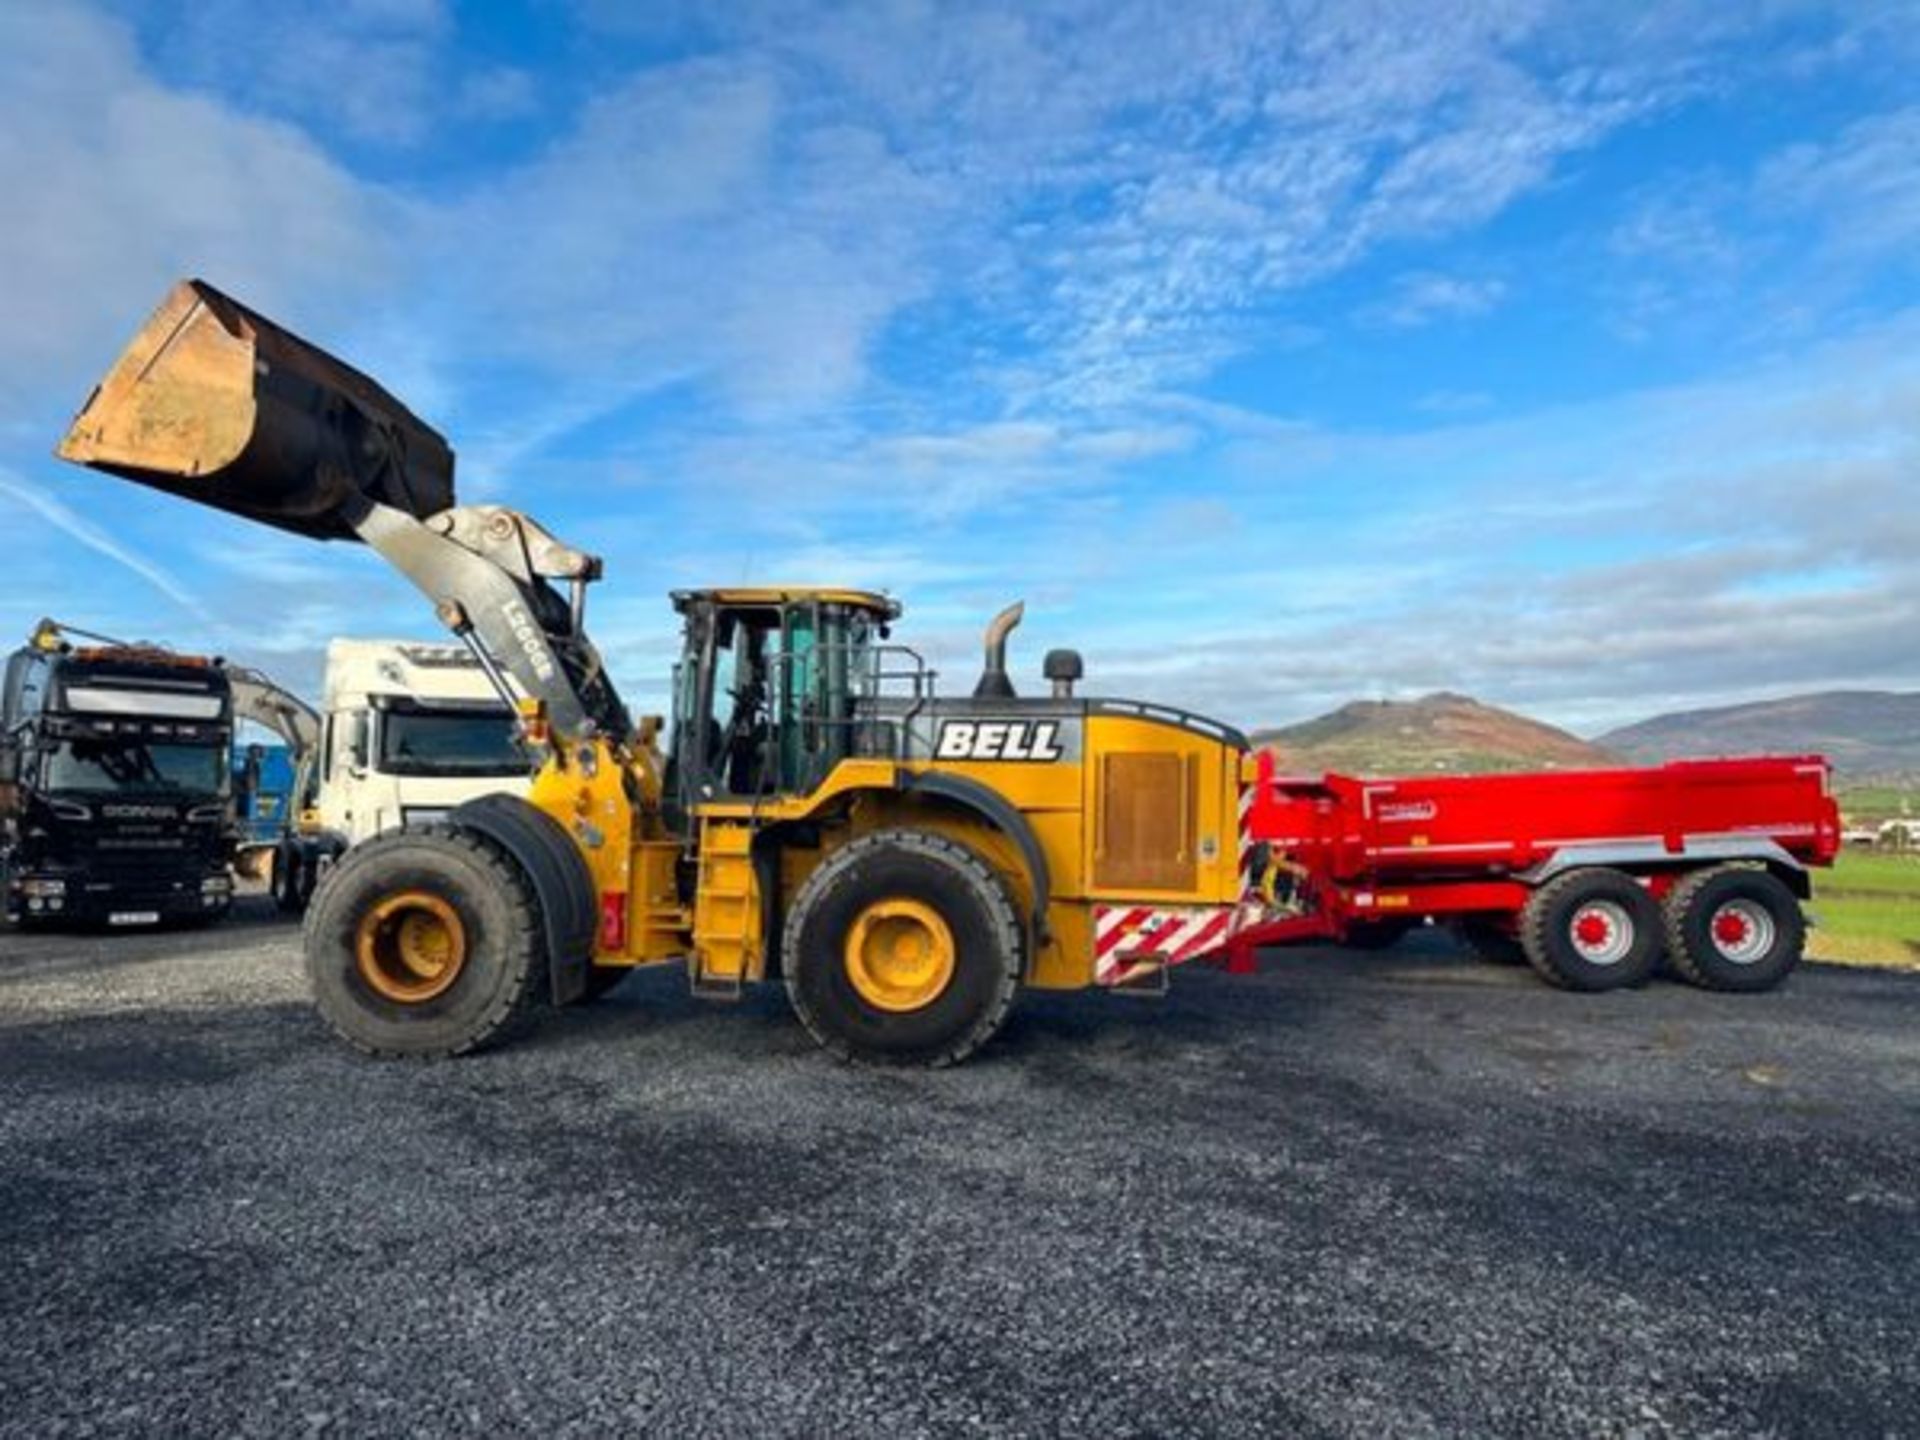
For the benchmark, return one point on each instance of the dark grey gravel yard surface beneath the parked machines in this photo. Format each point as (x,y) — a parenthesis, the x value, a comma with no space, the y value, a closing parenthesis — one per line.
(1355,1195)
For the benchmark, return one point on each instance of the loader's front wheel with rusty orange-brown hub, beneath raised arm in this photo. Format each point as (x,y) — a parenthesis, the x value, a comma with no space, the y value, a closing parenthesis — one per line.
(425,944)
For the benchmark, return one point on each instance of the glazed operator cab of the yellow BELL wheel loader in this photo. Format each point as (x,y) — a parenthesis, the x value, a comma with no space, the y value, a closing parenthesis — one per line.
(767,686)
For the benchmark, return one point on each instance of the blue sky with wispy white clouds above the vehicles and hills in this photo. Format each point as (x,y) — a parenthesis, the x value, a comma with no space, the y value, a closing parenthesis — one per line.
(1276,354)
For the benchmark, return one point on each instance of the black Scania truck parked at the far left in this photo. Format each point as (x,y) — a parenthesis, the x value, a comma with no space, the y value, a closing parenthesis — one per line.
(116,784)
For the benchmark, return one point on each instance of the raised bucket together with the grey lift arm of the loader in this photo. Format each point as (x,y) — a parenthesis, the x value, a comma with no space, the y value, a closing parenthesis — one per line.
(220,406)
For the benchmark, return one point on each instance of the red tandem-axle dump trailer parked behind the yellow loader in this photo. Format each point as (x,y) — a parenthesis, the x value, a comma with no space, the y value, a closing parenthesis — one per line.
(1593,876)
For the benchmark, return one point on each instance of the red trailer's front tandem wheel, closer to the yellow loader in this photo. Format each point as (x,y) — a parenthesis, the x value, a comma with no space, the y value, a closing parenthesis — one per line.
(1593,930)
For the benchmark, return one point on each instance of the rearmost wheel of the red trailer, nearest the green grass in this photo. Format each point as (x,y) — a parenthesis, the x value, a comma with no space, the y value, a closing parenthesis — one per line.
(1735,930)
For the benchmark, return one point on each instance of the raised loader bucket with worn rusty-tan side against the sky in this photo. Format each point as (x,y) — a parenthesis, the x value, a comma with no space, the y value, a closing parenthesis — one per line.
(222,406)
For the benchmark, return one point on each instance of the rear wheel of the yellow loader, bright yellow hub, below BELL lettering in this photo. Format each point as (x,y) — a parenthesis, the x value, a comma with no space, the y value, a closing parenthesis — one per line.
(903,949)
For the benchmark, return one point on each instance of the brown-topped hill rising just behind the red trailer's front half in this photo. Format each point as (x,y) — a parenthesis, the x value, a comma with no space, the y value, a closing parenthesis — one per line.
(1435,732)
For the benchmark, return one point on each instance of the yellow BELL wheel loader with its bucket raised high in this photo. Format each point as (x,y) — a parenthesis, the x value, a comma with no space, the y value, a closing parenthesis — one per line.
(903,861)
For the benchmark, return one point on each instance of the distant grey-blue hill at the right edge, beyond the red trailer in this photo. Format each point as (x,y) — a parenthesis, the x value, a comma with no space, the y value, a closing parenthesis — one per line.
(1863,732)
